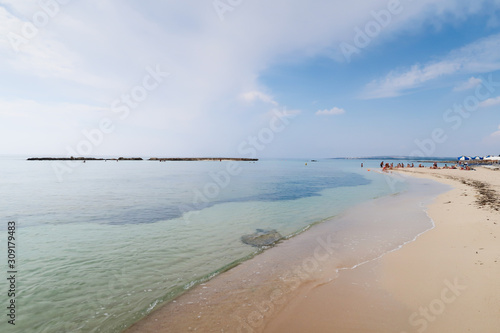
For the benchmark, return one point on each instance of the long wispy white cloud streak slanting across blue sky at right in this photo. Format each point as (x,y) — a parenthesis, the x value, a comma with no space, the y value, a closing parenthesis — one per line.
(479,57)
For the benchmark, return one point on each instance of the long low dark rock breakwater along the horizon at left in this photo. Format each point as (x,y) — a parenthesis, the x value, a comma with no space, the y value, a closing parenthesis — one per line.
(175,159)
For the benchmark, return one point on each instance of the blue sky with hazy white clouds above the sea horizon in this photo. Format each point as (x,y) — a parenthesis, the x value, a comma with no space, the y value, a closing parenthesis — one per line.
(240,78)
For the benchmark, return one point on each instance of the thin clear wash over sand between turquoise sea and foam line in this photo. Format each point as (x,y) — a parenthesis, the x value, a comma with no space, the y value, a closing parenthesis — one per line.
(247,297)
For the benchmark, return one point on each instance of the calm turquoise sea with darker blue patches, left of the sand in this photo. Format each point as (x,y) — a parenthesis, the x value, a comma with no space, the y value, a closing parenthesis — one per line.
(113,240)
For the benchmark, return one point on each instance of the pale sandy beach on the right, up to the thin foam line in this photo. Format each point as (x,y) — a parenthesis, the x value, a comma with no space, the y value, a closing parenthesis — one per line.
(445,281)
